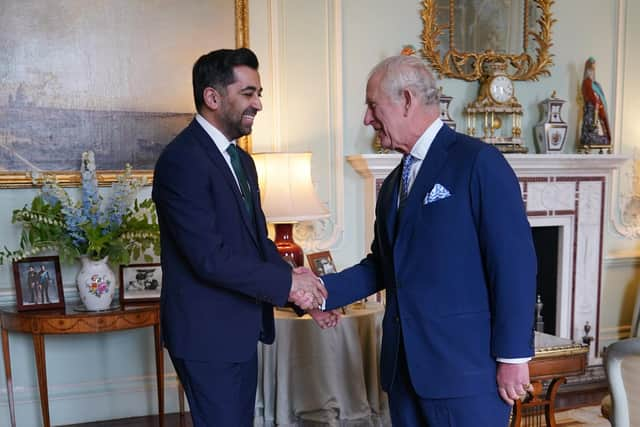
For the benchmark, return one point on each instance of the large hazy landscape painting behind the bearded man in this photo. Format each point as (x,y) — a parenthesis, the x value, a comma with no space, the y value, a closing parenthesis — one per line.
(112,76)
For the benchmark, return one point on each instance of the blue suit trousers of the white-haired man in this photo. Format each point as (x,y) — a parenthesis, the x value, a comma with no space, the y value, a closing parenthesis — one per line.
(410,410)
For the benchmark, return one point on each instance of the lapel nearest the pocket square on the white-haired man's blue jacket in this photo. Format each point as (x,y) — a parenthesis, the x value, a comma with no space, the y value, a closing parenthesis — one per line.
(424,182)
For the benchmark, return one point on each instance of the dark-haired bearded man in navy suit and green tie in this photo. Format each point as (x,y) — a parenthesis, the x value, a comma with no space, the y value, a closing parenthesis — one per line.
(222,275)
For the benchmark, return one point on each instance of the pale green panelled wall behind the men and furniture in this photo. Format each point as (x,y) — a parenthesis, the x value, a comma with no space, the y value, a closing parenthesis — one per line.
(309,49)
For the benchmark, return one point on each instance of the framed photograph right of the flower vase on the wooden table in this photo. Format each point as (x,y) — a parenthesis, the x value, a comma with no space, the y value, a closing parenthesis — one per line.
(140,283)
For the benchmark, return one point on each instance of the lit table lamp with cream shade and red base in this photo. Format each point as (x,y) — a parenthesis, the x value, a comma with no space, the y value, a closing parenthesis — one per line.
(288,197)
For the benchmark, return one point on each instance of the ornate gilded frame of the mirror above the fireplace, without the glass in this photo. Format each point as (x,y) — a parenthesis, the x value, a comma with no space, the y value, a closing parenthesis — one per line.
(469,66)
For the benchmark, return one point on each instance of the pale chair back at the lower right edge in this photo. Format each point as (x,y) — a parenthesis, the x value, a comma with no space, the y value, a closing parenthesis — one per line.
(623,373)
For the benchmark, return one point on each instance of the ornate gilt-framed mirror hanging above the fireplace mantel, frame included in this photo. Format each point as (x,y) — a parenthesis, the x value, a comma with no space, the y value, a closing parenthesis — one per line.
(462,37)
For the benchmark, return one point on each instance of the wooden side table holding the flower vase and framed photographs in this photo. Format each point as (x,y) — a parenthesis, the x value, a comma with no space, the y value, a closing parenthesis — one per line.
(68,321)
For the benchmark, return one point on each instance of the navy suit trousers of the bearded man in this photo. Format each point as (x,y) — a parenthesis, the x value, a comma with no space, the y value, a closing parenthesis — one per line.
(220,394)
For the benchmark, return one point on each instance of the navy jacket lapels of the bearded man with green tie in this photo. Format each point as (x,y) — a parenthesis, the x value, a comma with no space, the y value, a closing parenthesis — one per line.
(220,163)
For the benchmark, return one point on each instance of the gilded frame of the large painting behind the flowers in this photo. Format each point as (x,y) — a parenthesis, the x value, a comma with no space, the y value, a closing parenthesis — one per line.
(24,178)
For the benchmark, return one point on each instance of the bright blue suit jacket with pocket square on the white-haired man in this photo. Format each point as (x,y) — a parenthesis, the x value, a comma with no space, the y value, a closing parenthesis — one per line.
(459,272)
